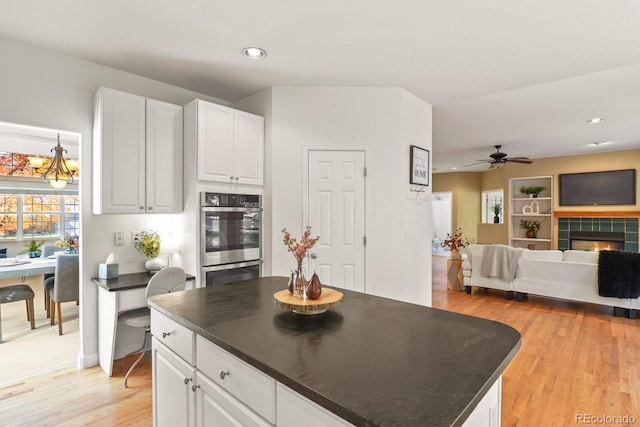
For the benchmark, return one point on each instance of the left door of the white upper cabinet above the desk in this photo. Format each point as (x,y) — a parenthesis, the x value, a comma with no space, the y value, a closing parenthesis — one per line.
(119,153)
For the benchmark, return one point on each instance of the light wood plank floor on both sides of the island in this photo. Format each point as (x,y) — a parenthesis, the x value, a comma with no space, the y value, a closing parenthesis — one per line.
(576,359)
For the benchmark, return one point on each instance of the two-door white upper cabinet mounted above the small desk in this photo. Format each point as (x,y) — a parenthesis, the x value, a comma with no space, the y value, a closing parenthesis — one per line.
(137,154)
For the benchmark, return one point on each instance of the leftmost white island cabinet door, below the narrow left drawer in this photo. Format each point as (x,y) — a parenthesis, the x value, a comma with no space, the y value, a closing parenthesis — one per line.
(173,396)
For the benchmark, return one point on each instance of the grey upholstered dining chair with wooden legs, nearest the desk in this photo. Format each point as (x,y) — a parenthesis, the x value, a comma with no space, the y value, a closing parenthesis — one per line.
(64,286)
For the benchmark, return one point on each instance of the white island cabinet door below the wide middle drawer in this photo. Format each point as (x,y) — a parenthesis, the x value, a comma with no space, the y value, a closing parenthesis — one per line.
(218,408)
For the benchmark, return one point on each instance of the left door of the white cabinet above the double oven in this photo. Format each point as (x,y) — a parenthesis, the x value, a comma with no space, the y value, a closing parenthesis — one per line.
(215,143)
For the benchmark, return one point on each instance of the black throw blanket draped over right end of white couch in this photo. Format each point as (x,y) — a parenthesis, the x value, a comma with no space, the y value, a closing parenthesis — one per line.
(619,274)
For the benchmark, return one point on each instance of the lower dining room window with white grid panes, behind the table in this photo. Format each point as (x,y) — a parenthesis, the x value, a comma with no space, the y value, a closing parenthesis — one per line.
(38,216)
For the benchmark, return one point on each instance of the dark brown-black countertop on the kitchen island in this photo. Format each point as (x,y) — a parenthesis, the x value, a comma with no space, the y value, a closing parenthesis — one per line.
(372,361)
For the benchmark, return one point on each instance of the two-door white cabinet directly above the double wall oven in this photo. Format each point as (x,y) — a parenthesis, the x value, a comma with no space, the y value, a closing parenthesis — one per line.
(230,143)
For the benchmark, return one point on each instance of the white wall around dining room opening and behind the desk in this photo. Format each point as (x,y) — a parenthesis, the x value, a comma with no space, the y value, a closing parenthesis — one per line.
(47,89)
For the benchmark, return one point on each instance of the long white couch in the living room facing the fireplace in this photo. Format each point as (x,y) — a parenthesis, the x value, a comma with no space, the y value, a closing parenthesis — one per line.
(571,275)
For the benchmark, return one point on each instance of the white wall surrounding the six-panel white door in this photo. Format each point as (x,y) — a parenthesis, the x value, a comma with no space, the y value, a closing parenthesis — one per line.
(385,121)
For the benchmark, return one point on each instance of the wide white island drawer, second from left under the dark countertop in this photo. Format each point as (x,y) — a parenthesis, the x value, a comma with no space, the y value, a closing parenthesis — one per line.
(246,383)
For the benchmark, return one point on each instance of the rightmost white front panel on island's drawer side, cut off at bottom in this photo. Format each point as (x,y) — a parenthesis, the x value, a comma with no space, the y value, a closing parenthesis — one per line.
(294,410)
